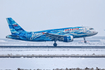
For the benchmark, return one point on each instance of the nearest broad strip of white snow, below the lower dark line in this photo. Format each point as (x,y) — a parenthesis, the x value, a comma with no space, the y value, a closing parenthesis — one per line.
(50,63)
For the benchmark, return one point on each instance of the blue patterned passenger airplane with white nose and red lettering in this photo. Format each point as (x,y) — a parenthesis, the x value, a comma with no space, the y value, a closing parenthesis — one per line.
(61,34)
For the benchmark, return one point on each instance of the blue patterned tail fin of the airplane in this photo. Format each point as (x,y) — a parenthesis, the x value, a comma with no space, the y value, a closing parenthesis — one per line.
(14,27)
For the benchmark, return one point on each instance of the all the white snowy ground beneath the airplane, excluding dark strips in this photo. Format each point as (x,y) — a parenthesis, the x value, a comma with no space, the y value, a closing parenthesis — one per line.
(51,63)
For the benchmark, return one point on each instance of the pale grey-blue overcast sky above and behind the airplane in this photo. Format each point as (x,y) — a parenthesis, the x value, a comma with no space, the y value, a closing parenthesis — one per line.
(36,15)
